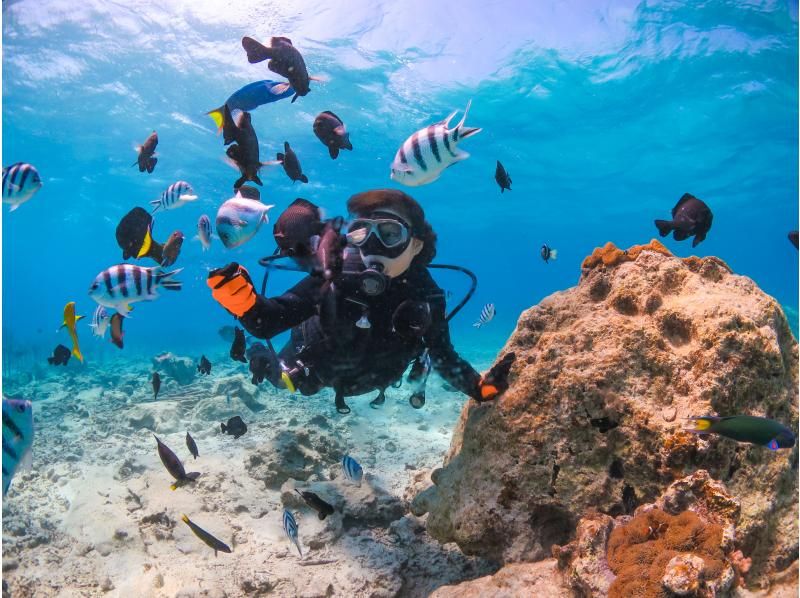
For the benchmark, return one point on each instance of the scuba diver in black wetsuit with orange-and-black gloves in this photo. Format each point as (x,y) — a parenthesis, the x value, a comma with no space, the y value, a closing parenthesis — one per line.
(368,308)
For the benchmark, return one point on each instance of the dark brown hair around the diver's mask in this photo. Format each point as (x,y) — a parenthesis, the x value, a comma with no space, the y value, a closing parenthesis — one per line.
(363,204)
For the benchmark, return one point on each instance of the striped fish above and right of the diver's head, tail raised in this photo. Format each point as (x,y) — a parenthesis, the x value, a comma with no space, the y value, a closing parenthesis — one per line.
(424,155)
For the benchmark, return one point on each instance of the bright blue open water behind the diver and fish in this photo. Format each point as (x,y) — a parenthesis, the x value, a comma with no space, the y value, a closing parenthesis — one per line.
(604,114)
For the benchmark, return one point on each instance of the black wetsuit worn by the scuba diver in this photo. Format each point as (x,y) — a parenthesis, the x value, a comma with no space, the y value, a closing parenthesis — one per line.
(352,359)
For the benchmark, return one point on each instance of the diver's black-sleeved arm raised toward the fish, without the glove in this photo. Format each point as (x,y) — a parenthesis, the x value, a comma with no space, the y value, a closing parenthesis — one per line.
(271,316)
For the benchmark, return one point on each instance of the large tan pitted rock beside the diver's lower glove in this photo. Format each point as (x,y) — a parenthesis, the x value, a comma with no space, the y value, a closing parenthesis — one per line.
(606,374)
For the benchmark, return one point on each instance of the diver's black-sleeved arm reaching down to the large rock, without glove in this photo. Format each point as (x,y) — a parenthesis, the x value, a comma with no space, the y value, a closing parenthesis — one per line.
(447,362)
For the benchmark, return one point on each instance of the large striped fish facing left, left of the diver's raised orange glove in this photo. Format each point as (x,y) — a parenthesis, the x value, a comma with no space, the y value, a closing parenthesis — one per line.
(123,284)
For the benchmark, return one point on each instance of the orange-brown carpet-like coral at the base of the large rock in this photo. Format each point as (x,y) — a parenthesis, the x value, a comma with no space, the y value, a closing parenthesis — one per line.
(638,553)
